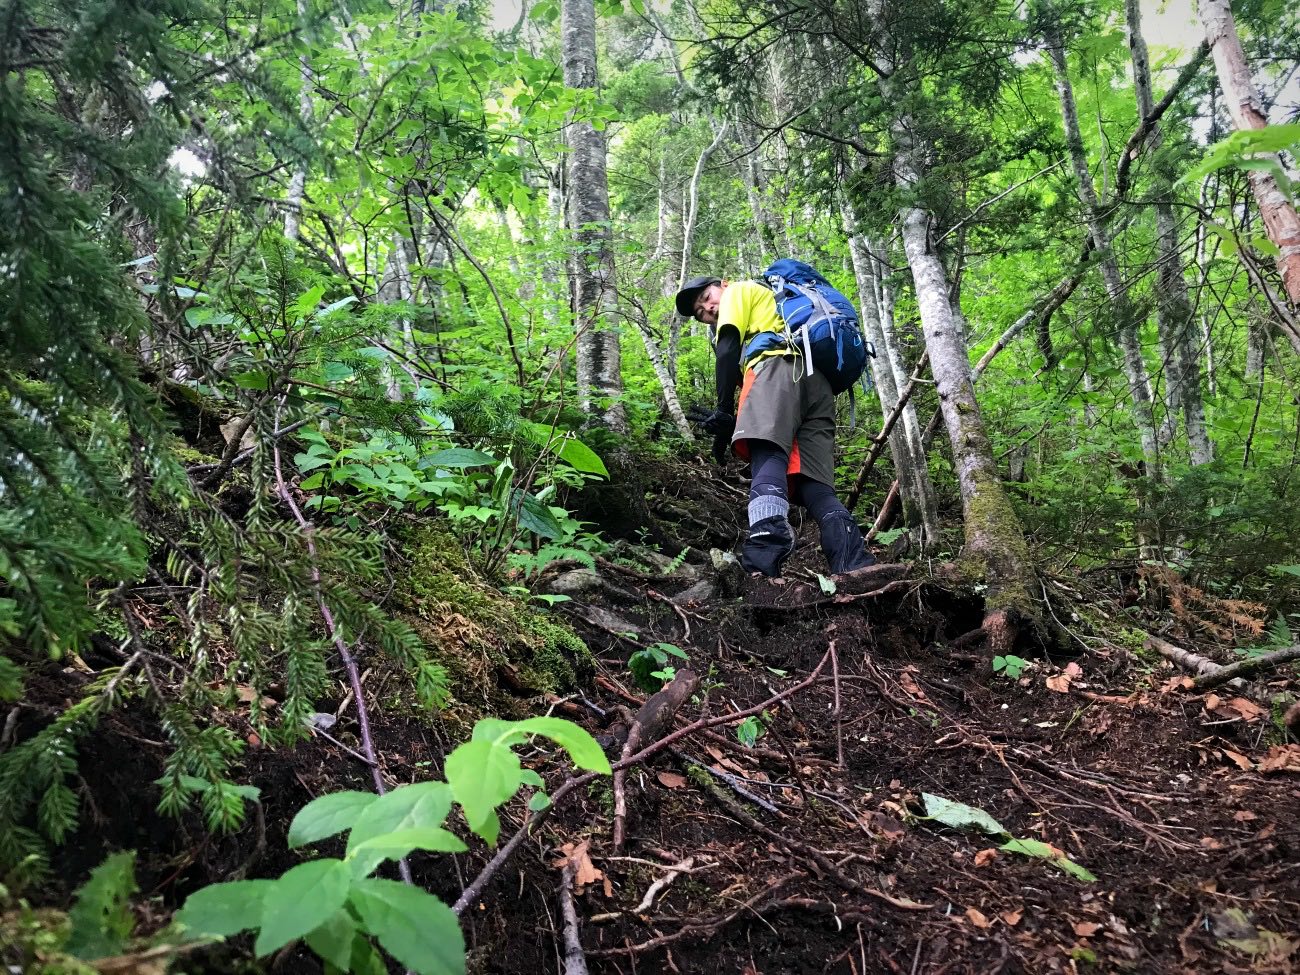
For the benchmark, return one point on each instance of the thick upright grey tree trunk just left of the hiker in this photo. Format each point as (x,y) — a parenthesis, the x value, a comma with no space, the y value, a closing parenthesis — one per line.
(600,380)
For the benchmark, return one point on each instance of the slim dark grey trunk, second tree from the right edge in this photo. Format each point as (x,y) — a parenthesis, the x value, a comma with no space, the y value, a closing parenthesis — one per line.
(1175,306)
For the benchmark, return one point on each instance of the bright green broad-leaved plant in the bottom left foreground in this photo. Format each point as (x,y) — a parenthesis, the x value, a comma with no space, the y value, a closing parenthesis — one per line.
(337,907)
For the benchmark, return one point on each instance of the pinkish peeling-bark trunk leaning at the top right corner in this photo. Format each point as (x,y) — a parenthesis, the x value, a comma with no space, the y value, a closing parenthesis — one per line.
(1243,103)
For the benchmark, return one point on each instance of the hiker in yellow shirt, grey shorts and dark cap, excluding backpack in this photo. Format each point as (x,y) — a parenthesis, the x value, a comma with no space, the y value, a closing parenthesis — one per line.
(786,426)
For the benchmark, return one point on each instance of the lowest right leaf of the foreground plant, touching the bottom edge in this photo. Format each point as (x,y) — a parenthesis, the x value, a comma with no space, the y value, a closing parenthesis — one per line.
(413,926)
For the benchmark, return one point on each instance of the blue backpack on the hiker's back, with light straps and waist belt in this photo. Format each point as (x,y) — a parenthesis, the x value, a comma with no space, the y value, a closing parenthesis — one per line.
(820,319)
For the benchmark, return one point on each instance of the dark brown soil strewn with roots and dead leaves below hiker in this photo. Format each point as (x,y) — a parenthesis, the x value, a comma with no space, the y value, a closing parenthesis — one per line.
(811,852)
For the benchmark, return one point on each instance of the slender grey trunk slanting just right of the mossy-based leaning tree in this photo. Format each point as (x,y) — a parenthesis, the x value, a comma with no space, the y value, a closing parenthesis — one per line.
(1123,310)
